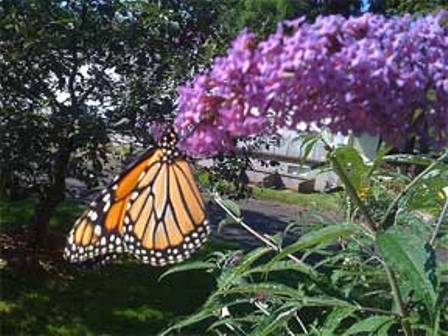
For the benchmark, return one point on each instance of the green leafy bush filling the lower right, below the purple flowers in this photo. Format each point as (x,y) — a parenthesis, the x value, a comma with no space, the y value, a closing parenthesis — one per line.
(375,273)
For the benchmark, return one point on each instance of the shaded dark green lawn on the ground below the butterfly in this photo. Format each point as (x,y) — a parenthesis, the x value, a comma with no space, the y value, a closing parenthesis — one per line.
(120,299)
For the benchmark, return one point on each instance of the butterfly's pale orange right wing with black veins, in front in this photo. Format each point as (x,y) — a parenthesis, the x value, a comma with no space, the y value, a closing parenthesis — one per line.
(165,220)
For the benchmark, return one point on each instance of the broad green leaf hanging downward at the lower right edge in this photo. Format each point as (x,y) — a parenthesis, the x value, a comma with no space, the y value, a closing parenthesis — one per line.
(413,260)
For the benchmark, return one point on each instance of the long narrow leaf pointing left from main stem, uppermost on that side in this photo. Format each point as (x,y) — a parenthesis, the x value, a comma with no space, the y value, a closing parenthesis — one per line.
(323,236)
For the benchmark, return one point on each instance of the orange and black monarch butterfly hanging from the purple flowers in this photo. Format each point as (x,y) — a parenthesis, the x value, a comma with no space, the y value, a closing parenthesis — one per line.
(153,211)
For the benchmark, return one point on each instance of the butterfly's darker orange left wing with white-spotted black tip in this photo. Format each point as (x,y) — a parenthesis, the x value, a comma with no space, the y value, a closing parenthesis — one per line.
(98,233)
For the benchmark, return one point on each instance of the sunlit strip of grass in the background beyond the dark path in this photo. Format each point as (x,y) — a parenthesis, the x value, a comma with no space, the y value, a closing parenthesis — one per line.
(314,201)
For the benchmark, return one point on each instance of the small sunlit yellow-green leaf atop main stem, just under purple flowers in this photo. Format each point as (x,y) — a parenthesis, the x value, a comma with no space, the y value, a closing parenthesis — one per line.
(353,164)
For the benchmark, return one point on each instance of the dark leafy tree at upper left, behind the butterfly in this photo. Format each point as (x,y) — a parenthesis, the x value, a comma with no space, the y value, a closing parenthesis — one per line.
(75,72)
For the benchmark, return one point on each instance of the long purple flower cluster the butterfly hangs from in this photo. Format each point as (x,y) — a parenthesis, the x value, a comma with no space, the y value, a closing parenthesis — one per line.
(370,74)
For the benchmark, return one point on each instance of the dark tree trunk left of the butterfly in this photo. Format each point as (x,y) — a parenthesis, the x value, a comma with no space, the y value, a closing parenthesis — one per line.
(53,195)
